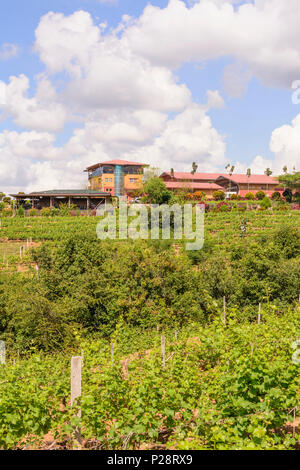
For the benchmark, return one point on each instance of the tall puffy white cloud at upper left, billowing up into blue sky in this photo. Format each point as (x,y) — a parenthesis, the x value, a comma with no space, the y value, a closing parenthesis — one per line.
(104,71)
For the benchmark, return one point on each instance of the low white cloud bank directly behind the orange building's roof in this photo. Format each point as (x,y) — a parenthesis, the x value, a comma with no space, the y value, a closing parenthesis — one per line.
(33,160)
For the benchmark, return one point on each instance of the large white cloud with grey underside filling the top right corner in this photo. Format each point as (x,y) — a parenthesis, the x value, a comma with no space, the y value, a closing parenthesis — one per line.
(264,36)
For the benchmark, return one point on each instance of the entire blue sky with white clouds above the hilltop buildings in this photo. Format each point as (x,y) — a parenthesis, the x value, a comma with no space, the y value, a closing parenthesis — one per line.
(161,82)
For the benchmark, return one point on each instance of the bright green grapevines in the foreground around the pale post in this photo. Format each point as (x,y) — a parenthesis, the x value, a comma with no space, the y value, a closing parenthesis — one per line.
(222,388)
